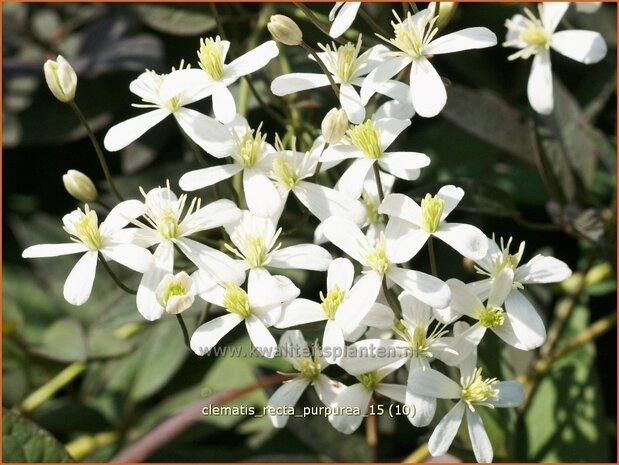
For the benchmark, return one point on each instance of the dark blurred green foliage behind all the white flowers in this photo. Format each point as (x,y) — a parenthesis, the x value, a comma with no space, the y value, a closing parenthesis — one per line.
(547,180)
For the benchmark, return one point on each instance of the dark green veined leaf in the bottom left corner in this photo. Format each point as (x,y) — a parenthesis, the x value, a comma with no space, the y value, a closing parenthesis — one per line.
(24,441)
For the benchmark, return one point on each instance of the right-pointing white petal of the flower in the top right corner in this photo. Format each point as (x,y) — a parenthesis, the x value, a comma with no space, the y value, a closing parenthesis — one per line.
(584,46)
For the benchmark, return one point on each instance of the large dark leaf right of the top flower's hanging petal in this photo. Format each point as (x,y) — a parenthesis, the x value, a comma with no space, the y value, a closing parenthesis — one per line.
(492,120)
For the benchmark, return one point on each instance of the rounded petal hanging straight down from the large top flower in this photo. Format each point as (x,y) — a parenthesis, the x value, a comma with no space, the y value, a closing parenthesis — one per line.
(427,89)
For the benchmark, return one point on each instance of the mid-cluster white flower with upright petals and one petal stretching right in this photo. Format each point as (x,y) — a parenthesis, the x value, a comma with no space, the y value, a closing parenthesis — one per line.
(254,240)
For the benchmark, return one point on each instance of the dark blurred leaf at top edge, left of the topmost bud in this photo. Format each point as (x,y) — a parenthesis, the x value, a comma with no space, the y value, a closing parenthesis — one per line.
(176,19)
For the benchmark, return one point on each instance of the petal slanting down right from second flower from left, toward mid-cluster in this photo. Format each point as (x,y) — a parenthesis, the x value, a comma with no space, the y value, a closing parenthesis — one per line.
(218,264)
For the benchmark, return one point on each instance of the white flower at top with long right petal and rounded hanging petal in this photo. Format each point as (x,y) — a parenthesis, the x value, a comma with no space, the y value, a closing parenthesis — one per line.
(415,41)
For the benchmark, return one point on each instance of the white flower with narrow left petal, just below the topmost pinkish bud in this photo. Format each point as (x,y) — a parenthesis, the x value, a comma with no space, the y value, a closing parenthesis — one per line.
(347,68)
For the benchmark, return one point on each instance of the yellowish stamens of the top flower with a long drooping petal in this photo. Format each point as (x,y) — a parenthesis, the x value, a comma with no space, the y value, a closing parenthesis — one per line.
(412,38)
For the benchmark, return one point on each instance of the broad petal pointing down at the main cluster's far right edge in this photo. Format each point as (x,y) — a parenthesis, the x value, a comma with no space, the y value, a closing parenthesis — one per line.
(527,324)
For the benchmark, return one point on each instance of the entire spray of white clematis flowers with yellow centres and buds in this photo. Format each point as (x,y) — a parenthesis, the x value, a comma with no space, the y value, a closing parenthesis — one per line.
(380,315)
